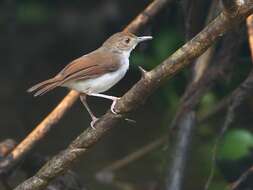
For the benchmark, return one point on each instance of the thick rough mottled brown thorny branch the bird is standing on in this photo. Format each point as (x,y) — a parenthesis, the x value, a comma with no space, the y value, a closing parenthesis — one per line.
(135,97)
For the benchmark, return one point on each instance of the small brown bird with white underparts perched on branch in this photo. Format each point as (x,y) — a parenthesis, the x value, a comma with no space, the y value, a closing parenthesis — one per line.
(95,72)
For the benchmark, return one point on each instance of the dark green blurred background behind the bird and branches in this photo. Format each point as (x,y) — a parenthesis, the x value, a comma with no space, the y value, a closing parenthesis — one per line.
(38,38)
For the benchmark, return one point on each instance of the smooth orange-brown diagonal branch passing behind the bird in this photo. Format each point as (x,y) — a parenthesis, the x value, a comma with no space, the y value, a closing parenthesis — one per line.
(47,124)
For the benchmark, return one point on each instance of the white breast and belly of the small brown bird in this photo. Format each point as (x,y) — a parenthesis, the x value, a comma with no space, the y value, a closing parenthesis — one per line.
(102,83)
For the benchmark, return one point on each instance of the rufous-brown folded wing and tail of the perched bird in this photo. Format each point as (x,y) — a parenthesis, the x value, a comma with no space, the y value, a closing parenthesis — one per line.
(88,66)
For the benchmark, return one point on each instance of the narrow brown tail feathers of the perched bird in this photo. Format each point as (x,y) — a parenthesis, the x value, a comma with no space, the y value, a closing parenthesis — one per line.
(43,87)
